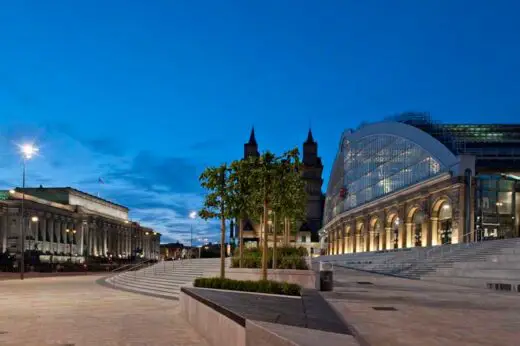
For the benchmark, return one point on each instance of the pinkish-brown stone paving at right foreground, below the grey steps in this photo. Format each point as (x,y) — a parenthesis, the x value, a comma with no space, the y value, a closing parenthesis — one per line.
(426,313)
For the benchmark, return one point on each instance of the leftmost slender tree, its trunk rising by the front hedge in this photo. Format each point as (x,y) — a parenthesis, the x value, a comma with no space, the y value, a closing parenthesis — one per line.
(216,203)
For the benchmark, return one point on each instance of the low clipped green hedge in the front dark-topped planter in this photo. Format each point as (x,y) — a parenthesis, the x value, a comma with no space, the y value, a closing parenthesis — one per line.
(260,286)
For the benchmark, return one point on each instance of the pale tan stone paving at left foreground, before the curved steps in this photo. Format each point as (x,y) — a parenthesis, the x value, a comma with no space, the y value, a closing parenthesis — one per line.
(77,311)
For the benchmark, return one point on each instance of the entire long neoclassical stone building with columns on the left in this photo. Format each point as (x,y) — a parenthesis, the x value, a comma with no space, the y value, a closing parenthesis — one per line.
(67,222)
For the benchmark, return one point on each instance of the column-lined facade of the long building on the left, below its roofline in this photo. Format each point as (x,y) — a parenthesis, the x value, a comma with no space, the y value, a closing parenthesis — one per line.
(56,234)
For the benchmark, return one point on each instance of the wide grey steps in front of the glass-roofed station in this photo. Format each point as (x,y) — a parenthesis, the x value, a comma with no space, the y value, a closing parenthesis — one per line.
(493,264)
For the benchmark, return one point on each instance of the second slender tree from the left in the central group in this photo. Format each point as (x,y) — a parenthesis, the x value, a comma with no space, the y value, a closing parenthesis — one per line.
(240,201)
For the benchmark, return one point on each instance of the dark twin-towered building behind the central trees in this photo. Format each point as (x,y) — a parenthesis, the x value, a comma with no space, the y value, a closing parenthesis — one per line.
(307,231)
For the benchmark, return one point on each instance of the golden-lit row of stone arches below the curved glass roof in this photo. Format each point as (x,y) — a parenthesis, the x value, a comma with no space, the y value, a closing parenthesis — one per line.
(428,223)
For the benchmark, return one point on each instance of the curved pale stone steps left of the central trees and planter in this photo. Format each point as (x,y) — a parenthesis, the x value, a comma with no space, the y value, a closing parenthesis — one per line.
(163,279)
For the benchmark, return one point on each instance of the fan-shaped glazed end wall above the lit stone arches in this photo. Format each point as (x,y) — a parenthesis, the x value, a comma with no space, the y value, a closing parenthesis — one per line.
(377,165)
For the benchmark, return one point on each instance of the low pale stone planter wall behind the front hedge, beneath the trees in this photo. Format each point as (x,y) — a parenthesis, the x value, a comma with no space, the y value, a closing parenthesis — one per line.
(304,278)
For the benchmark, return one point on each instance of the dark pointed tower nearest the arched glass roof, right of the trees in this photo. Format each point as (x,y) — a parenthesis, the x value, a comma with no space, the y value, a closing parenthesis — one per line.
(312,170)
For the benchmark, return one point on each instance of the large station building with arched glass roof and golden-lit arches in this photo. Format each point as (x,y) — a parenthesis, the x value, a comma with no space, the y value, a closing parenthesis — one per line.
(408,181)
